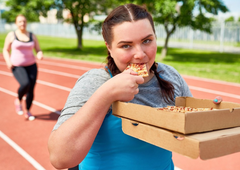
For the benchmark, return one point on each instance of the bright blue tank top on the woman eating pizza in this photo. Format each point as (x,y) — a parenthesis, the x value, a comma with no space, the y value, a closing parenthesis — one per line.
(114,150)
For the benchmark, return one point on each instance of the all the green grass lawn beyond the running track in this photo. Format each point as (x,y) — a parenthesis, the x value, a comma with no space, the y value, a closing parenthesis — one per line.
(206,64)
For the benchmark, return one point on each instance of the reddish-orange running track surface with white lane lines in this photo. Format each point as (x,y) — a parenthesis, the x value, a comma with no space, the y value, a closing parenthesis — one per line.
(23,144)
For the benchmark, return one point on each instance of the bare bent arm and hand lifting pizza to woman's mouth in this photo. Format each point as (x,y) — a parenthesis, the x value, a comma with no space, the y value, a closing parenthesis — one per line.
(70,143)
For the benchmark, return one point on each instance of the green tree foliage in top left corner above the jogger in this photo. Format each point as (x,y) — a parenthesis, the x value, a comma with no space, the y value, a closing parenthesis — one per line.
(30,8)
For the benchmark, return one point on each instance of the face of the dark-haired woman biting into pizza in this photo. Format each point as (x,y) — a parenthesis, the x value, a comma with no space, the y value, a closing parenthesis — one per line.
(133,42)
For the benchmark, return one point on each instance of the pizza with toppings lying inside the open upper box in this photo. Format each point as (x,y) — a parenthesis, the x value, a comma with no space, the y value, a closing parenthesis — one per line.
(183,109)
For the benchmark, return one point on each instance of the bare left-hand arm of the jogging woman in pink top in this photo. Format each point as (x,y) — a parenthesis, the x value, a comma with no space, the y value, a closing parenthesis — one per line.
(6,49)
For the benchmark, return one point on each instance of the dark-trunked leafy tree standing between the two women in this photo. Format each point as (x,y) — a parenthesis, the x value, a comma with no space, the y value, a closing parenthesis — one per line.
(82,8)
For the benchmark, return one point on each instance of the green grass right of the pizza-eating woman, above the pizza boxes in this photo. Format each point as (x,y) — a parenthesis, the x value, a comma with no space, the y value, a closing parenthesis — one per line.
(214,65)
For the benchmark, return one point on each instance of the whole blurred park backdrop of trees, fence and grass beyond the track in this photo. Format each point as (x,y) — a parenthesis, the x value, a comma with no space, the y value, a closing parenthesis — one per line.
(198,38)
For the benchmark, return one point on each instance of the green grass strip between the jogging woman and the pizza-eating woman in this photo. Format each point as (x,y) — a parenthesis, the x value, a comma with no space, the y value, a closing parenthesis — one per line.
(66,48)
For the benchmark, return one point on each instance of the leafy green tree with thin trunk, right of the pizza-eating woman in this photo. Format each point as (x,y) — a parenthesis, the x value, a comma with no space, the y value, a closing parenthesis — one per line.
(181,13)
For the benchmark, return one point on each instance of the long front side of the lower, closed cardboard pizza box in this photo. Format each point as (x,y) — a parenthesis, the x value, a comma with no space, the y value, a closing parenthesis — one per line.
(162,138)
